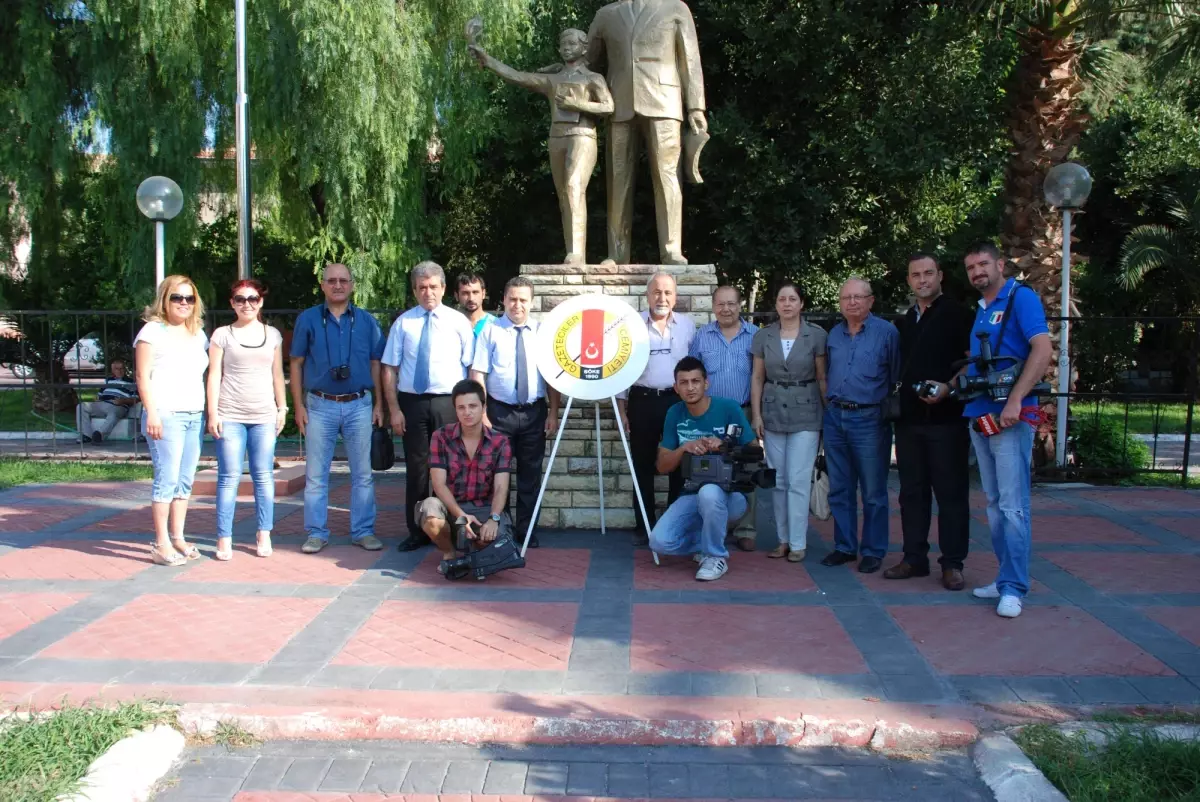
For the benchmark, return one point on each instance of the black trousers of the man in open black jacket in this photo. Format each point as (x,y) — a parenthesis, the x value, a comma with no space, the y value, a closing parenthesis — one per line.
(933,462)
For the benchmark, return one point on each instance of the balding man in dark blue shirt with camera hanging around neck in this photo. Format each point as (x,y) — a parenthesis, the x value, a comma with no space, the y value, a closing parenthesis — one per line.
(337,350)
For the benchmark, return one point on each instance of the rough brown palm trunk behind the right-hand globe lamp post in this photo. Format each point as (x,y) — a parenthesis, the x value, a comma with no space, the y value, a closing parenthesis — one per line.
(1047,122)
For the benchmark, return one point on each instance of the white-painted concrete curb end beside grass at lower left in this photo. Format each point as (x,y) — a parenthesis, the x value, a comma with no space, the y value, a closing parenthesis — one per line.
(131,768)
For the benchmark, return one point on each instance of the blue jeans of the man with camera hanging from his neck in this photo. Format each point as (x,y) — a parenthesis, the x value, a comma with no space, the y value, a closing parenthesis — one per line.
(326,421)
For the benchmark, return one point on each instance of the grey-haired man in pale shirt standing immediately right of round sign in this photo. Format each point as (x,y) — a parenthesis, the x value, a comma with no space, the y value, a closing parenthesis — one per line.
(653,394)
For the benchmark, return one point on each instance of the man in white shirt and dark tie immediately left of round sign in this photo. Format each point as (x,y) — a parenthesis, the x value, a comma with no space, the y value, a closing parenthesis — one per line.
(506,364)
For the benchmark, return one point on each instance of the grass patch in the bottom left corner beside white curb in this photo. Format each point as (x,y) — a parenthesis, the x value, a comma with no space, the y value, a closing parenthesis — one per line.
(44,757)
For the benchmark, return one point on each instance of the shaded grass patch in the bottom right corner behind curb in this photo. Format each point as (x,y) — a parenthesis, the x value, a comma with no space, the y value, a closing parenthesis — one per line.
(1135,767)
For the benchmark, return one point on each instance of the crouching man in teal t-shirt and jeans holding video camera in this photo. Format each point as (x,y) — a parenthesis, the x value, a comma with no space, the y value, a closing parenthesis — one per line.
(697,524)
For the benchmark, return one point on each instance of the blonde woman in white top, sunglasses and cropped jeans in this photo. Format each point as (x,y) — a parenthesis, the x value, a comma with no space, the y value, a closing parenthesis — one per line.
(171,364)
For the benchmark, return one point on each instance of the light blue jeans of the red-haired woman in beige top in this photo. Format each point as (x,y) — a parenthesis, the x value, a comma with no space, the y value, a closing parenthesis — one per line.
(231,453)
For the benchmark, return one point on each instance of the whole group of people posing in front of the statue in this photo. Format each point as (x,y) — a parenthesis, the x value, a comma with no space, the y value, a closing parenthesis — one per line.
(464,392)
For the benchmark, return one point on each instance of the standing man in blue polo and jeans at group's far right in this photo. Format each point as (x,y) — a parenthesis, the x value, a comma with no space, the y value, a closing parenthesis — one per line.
(1005,458)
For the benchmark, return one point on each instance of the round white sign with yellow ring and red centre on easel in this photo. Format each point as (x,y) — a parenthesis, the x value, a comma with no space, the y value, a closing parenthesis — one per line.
(592,348)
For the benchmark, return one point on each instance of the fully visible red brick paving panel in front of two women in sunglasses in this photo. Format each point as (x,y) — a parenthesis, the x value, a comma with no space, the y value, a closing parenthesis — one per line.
(181,627)
